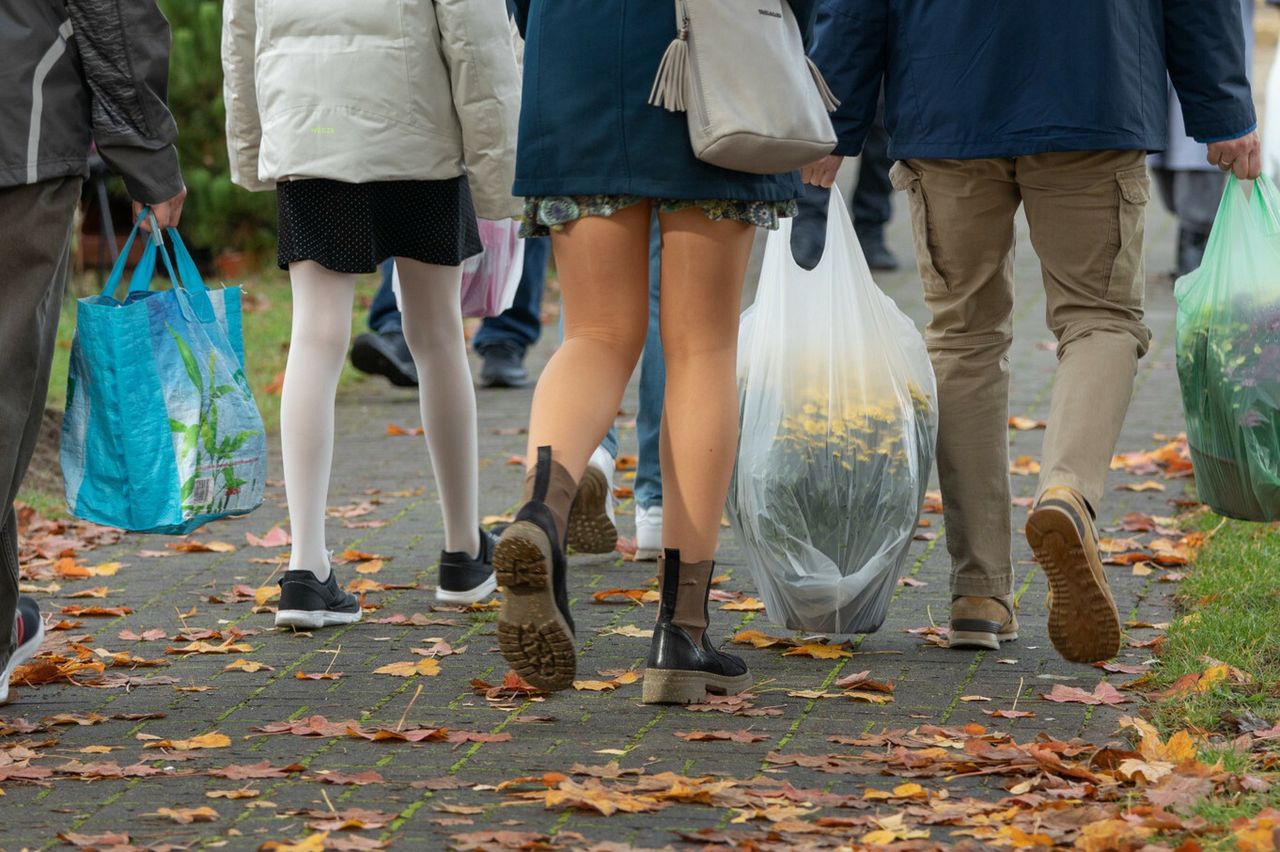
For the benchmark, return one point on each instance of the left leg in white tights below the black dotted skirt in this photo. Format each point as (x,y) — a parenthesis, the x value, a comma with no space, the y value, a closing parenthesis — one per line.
(318,349)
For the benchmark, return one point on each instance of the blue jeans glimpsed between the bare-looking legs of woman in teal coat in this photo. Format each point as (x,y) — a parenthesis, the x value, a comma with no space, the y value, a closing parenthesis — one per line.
(653,388)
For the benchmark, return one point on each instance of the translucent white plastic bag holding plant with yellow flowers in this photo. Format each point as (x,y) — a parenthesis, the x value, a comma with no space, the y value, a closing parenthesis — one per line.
(838,437)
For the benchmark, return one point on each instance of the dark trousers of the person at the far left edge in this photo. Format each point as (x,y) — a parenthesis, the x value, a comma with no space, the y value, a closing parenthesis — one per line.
(34,265)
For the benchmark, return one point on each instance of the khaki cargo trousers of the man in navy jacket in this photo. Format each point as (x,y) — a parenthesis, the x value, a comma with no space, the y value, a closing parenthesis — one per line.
(1086,214)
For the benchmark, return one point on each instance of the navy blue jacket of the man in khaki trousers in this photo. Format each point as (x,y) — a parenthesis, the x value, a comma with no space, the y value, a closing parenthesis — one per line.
(998,79)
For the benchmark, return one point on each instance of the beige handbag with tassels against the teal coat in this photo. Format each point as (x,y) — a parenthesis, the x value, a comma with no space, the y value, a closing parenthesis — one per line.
(756,103)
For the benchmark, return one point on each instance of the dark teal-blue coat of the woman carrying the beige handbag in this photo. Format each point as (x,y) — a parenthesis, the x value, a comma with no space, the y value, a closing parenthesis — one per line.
(586,123)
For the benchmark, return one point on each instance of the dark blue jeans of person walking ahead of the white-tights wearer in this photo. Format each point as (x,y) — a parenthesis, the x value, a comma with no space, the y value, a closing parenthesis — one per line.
(519,326)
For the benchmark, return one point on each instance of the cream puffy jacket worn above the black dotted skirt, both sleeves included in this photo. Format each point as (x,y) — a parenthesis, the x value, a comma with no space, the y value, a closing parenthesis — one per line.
(373,90)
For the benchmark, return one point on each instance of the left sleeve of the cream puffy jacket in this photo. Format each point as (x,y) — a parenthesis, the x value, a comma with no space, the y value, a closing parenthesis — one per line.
(240,94)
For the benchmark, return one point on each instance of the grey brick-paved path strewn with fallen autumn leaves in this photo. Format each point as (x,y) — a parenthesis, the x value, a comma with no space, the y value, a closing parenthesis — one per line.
(429,793)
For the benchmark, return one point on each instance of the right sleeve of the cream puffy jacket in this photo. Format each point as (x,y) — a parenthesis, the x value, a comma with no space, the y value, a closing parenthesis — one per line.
(482,59)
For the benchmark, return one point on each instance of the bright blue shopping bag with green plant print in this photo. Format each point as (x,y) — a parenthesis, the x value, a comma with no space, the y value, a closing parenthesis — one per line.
(162,433)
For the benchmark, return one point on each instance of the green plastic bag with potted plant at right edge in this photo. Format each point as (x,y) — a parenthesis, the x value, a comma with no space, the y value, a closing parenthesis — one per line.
(1229,356)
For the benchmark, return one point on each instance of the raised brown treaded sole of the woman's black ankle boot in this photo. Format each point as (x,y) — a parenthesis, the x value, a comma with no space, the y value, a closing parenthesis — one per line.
(533,635)
